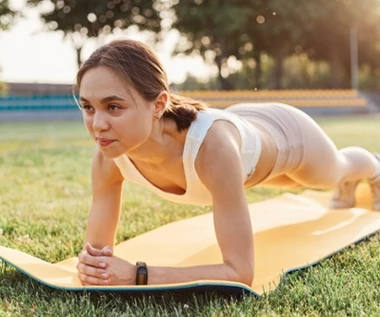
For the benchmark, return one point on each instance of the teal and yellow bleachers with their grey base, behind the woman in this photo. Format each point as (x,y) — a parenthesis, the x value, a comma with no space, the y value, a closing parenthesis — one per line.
(313,102)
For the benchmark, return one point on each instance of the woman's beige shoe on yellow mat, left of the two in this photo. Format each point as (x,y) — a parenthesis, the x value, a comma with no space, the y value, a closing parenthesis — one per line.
(344,195)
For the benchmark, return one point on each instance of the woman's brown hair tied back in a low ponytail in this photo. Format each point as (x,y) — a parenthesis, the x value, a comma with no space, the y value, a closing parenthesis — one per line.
(139,66)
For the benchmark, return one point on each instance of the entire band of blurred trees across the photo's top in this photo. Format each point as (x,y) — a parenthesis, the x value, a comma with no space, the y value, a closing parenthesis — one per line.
(247,30)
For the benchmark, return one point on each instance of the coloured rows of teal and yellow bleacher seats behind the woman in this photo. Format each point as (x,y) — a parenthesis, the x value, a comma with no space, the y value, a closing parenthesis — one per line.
(306,99)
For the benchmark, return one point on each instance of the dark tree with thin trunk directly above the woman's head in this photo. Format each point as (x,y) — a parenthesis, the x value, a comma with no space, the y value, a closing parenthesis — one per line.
(80,20)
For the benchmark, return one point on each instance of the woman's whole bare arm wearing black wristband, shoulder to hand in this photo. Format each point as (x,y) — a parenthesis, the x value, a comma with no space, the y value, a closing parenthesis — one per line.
(218,166)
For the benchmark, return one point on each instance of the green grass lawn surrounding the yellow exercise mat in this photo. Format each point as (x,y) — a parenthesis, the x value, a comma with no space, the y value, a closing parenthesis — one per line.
(44,202)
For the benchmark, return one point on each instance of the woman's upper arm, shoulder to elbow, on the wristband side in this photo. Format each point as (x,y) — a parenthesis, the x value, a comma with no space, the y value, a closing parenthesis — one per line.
(219,168)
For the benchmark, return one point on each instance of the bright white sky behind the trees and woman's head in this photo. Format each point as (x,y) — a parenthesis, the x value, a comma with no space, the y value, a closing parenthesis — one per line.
(30,54)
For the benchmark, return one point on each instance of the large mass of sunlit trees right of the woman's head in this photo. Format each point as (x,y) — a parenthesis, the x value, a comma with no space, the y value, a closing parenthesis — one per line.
(318,28)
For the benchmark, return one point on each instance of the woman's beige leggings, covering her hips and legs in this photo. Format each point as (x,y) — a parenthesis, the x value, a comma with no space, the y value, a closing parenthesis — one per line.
(306,155)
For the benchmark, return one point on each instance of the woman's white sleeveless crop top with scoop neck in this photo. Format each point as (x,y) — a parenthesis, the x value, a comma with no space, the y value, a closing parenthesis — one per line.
(196,193)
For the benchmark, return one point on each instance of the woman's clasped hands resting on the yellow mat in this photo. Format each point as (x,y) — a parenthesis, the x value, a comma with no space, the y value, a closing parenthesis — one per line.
(101,267)
